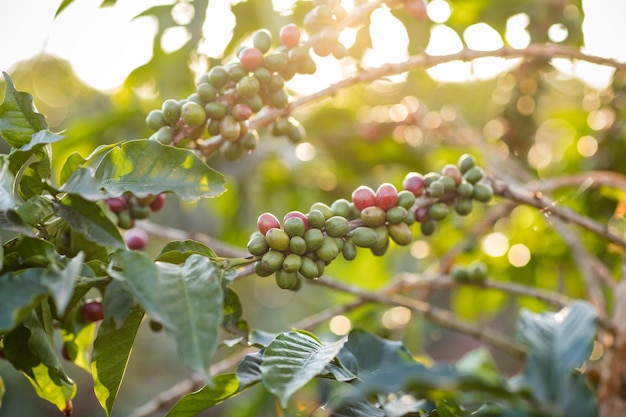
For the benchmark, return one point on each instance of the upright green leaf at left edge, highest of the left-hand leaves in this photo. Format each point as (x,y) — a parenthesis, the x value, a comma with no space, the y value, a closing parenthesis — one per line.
(18,119)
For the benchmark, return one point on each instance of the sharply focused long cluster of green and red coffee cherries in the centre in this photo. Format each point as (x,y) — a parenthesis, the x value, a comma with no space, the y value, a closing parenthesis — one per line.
(305,243)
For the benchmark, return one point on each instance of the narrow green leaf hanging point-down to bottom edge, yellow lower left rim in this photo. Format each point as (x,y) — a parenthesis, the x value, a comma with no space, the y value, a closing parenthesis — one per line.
(111,351)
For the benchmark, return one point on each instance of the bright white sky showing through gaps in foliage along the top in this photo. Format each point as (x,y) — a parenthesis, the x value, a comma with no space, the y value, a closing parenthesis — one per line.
(103,45)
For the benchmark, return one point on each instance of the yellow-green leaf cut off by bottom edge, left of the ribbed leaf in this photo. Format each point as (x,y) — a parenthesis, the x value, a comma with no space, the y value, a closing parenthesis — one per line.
(222,388)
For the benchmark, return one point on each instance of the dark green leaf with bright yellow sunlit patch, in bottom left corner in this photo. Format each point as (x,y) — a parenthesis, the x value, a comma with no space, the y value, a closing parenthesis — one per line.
(31,351)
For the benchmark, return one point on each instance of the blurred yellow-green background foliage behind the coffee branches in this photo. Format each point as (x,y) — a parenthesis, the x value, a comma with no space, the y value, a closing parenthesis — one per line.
(530,123)
